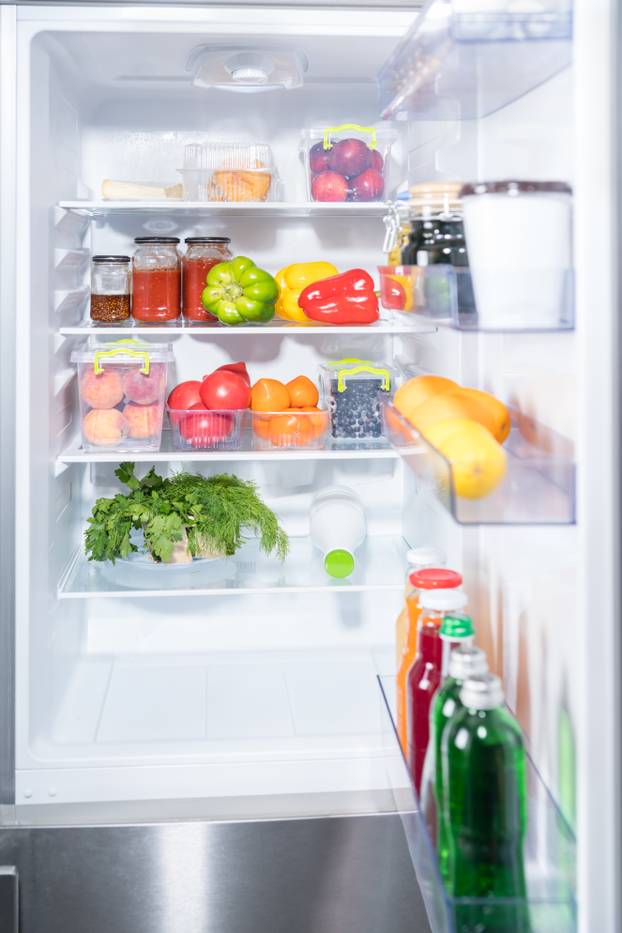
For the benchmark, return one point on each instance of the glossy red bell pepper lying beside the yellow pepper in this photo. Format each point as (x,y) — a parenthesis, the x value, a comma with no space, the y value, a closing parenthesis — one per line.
(347,298)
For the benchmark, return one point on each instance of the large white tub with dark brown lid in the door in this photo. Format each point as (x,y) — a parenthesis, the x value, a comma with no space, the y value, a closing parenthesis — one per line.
(519,237)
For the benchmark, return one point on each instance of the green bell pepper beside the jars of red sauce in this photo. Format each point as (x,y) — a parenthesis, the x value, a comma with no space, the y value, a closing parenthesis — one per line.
(237,292)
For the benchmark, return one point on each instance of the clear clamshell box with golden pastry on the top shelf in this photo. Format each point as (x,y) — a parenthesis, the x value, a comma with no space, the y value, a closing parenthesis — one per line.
(229,172)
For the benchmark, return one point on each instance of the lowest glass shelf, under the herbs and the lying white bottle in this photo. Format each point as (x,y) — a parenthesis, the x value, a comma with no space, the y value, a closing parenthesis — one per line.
(381,565)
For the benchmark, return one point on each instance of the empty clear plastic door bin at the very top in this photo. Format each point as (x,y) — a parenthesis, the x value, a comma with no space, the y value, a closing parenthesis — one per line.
(454,65)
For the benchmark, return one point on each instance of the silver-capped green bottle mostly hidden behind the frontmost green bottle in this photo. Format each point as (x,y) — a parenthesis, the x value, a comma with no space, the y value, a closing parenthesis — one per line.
(464,662)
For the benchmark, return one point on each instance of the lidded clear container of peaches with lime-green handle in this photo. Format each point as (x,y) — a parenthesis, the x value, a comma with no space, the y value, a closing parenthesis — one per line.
(122,390)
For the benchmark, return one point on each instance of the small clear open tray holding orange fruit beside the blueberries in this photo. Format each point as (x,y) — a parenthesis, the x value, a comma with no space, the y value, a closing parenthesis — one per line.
(290,429)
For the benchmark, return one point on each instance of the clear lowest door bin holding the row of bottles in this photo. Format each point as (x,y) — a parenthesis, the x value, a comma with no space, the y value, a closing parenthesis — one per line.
(550,861)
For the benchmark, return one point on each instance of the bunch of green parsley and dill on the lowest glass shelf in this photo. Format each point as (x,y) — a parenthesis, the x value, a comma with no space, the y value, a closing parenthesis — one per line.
(214,513)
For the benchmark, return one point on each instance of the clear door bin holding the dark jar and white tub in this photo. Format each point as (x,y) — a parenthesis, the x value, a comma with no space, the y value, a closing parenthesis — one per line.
(444,296)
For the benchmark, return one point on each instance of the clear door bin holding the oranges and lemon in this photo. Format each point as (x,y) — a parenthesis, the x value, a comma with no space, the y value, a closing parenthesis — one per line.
(538,488)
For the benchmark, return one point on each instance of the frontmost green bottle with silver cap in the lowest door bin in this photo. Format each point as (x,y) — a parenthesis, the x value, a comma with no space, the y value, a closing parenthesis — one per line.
(483,760)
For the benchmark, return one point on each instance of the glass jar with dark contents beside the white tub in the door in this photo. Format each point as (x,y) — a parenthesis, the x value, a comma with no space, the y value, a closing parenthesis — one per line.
(437,238)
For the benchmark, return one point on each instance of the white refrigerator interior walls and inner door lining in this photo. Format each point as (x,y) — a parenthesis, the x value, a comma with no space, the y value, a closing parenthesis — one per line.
(255,695)
